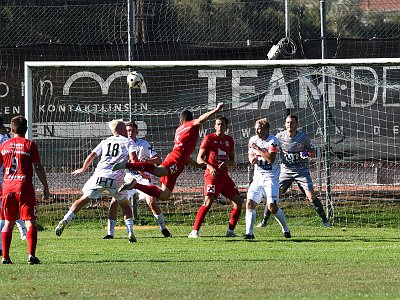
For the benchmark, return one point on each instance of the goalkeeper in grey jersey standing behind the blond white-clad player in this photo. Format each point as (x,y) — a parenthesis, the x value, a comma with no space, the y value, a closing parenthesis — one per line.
(296,148)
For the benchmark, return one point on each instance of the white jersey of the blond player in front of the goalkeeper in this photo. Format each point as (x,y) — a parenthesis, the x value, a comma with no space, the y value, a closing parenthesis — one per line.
(264,169)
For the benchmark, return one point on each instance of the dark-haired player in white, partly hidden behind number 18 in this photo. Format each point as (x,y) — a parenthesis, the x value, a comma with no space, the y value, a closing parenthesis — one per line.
(145,153)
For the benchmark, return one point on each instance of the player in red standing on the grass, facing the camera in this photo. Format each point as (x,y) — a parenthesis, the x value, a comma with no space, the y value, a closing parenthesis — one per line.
(217,151)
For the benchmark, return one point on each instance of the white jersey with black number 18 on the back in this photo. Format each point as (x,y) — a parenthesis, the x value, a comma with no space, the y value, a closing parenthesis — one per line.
(112,150)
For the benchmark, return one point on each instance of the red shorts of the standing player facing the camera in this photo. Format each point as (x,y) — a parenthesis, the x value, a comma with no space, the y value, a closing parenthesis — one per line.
(213,186)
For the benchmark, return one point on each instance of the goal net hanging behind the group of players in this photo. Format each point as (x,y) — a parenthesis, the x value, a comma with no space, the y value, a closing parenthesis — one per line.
(355,109)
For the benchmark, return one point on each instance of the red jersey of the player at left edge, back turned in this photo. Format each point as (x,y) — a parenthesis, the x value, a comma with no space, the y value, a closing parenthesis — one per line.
(17,155)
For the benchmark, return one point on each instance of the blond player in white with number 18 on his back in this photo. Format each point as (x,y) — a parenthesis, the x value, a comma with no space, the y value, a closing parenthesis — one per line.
(111,150)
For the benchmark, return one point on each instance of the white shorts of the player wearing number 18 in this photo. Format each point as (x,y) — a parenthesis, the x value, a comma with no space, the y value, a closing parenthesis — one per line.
(97,186)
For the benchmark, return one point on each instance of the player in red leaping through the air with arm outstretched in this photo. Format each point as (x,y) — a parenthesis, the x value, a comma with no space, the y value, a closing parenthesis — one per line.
(185,141)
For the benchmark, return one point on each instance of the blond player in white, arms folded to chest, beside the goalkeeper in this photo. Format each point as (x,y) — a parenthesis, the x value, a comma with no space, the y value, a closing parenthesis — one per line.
(263,150)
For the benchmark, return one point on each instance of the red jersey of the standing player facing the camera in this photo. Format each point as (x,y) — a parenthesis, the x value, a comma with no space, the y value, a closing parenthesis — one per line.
(217,150)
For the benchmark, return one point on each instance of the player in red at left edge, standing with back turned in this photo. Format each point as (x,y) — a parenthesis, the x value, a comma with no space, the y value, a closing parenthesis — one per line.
(18,155)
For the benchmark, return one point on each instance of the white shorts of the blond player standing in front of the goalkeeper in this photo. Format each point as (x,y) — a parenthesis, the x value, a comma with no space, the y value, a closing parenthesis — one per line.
(267,188)
